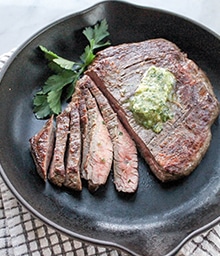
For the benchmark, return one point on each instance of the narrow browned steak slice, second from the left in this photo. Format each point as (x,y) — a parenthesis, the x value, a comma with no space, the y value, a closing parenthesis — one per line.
(57,170)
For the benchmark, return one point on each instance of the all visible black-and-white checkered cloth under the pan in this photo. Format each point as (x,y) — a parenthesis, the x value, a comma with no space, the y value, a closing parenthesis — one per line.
(21,234)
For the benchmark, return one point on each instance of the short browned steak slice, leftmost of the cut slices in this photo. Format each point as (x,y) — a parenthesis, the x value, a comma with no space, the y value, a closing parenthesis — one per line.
(42,145)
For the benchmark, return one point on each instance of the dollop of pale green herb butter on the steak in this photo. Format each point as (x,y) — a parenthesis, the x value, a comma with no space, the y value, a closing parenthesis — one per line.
(151,102)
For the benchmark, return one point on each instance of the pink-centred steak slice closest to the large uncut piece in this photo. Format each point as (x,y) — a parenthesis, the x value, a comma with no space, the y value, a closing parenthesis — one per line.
(125,164)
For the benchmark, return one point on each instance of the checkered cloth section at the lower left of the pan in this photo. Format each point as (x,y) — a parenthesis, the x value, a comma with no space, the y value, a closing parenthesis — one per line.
(22,234)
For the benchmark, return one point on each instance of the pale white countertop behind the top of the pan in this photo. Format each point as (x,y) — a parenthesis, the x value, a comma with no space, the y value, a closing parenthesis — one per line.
(21,19)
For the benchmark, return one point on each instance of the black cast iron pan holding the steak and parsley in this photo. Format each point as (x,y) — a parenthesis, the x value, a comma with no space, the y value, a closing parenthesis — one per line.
(159,218)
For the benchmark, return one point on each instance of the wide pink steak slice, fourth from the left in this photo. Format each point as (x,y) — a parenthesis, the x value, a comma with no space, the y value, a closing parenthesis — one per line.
(98,149)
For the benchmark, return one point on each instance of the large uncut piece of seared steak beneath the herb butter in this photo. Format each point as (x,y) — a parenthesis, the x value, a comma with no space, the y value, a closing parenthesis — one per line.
(180,146)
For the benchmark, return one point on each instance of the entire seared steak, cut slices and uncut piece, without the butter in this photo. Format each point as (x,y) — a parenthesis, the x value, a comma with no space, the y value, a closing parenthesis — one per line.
(90,128)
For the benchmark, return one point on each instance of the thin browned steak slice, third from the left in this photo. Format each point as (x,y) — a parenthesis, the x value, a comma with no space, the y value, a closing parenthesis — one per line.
(73,161)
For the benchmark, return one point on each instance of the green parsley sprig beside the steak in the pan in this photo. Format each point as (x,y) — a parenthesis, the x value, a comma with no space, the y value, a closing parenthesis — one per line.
(48,100)
